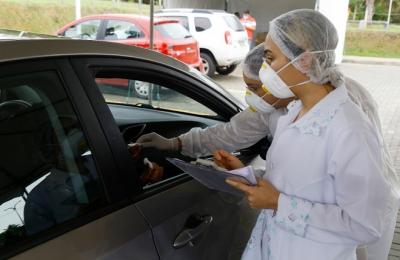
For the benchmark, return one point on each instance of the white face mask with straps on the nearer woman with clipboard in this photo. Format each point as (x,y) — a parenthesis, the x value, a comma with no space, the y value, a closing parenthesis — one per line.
(275,84)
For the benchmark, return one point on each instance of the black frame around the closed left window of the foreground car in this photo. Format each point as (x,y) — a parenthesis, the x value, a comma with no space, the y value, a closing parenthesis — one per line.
(107,170)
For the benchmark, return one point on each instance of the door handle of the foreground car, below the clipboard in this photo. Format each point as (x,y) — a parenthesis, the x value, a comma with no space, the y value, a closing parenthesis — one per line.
(189,235)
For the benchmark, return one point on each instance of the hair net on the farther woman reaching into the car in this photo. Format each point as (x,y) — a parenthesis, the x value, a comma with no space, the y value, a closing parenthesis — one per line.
(253,61)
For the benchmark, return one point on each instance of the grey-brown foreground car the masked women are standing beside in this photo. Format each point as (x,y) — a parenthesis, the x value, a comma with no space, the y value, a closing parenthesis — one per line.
(69,189)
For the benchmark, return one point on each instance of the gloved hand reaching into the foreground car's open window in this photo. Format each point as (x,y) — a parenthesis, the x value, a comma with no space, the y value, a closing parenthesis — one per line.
(154,140)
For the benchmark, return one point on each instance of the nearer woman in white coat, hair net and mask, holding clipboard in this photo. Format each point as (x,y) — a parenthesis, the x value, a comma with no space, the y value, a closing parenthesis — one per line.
(324,191)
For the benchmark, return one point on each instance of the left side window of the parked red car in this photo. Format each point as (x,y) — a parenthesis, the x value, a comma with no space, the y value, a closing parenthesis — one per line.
(86,30)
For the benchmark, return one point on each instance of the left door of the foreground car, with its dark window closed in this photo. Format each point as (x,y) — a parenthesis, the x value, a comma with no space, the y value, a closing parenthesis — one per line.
(62,194)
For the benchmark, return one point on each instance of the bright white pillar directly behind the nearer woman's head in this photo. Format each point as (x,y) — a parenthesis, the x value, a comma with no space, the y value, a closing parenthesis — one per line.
(337,12)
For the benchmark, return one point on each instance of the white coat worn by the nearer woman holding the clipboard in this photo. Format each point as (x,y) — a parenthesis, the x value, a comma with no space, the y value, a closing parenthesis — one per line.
(328,167)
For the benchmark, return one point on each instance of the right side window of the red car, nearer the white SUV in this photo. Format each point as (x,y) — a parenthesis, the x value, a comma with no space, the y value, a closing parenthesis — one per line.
(122,30)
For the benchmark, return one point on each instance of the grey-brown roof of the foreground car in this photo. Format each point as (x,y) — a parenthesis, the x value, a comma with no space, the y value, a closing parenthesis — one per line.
(13,50)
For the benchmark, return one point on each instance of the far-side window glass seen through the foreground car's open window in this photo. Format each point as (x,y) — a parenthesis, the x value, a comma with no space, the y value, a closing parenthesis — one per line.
(141,93)
